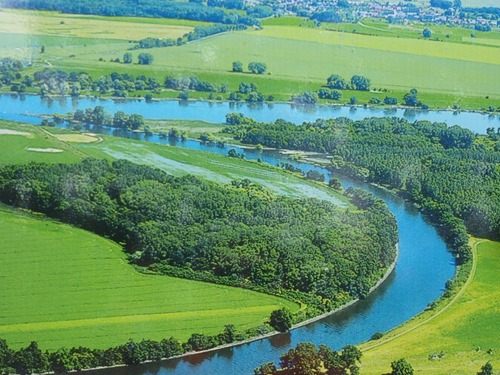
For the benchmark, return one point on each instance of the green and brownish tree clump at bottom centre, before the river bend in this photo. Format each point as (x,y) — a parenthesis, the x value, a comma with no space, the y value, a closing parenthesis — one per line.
(307,359)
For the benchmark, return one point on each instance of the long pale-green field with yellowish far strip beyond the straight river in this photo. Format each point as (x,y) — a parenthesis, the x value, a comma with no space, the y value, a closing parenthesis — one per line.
(438,67)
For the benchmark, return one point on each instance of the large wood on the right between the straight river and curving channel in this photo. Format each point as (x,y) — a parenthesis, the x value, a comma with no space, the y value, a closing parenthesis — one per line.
(450,172)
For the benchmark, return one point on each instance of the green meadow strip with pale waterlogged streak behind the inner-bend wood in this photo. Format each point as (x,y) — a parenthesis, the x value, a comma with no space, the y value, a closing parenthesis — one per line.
(173,160)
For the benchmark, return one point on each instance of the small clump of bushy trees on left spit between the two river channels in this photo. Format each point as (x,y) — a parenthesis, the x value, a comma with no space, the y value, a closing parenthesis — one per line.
(98,117)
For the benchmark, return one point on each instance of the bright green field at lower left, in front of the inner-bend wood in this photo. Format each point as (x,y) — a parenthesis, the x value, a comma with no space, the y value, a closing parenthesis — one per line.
(65,287)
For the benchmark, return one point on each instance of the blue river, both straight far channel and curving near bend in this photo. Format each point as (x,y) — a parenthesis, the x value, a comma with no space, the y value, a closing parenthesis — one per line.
(423,267)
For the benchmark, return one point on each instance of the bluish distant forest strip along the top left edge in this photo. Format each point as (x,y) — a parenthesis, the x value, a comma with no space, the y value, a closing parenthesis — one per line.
(144,8)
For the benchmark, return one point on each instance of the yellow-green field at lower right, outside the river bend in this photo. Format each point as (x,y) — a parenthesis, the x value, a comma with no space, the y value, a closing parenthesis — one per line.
(465,332)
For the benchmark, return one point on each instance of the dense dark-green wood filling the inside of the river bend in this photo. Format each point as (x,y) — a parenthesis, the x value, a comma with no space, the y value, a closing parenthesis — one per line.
(238,234)
